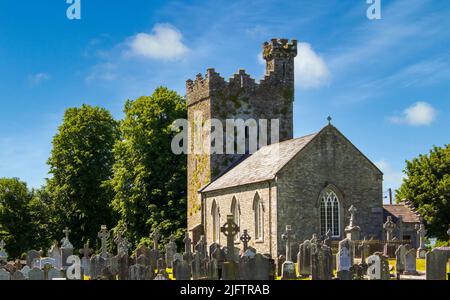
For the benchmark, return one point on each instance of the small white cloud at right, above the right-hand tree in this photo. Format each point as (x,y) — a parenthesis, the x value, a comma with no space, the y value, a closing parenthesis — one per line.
(419,114)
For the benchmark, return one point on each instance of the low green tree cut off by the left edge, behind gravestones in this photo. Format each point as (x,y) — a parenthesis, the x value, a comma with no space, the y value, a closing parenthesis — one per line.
(15,226)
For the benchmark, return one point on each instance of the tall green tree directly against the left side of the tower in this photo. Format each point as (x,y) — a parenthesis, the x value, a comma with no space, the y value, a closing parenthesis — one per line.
(149,180)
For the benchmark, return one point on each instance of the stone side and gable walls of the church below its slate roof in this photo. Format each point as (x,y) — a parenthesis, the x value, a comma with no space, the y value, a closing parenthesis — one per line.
(292,197)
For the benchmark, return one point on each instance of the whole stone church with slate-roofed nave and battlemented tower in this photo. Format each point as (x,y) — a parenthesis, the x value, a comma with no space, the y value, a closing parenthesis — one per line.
(308,182)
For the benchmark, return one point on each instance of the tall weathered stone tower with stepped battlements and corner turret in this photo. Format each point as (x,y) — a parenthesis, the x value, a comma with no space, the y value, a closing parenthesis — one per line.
(239,98)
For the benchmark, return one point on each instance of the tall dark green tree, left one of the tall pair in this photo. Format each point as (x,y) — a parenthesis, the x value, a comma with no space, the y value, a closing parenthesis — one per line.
(81,162)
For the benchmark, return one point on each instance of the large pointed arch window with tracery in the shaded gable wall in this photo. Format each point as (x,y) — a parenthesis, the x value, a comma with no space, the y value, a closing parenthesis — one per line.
(330,213)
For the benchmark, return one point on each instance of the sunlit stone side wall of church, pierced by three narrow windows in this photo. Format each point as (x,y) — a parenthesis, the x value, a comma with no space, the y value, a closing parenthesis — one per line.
(245,196)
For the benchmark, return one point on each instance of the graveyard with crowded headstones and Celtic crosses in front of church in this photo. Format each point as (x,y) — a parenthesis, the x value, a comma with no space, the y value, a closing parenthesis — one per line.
(316,259)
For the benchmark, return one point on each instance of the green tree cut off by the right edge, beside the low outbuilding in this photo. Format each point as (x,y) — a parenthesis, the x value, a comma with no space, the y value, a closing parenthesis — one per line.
(427,186)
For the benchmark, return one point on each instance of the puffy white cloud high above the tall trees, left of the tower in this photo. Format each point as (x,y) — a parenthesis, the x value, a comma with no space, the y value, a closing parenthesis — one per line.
(165,43)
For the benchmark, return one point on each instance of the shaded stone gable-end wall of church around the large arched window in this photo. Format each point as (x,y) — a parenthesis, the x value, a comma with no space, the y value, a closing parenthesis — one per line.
(330,159)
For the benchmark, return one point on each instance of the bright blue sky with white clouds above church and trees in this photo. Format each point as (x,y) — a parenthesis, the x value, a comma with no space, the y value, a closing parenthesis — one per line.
(385,82)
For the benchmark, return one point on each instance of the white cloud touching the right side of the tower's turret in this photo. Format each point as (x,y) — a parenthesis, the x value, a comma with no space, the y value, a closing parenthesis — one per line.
(311,70)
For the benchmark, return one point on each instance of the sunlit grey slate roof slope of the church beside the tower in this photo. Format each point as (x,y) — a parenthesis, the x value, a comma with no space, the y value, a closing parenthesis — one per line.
(261,166)
